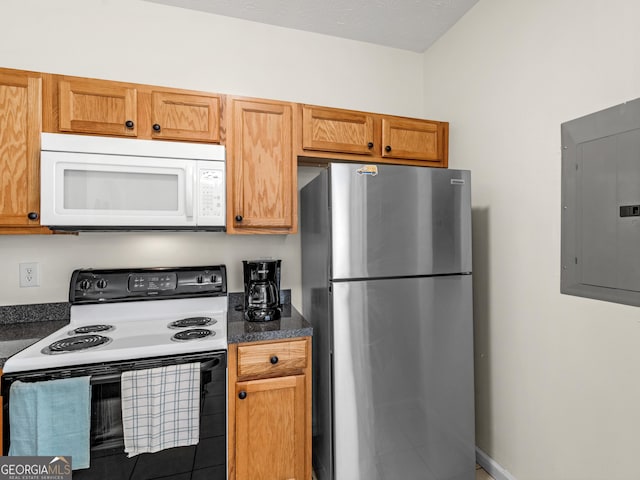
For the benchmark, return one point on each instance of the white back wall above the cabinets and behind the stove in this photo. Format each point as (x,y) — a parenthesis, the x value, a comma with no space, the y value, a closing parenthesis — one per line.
(136,41)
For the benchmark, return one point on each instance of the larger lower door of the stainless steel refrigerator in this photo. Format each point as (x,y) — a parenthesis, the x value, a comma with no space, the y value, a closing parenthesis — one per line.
(403,379)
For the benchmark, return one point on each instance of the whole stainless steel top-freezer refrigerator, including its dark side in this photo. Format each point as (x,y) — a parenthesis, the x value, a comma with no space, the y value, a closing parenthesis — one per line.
(386,277)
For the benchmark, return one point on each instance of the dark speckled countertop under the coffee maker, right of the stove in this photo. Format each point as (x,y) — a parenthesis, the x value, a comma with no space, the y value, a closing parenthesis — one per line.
(290,324)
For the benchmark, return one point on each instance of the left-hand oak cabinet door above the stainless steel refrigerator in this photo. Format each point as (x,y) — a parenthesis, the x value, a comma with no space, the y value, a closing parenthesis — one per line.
(332,130)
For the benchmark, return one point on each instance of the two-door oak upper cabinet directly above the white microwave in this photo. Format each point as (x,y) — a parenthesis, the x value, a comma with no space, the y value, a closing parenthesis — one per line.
(104,107)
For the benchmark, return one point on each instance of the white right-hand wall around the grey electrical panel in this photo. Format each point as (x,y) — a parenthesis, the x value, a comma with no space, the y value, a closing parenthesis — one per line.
(557,377)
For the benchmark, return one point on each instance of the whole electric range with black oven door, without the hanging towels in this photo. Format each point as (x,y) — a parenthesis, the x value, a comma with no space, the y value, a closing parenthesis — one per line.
(127,320)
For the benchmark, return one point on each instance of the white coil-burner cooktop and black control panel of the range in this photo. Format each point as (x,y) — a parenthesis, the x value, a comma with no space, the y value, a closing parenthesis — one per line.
(132,314)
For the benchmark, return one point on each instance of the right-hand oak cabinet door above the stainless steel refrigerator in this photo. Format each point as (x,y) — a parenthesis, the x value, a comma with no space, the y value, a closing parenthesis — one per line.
(412,139)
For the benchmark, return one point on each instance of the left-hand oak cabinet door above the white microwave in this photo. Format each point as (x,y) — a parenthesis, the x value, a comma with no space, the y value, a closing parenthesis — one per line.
(97,106)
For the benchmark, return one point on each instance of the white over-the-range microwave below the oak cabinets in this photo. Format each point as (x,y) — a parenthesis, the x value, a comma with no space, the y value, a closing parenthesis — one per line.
(106,183)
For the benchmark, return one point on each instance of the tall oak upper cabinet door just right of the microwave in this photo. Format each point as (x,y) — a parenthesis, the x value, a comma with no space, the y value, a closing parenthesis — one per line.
(262,174)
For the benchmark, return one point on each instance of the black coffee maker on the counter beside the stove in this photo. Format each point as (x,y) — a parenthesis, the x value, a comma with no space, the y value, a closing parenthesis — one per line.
(261,290)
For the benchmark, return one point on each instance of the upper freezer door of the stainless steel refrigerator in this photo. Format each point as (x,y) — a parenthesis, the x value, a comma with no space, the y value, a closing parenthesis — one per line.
(402,221)
